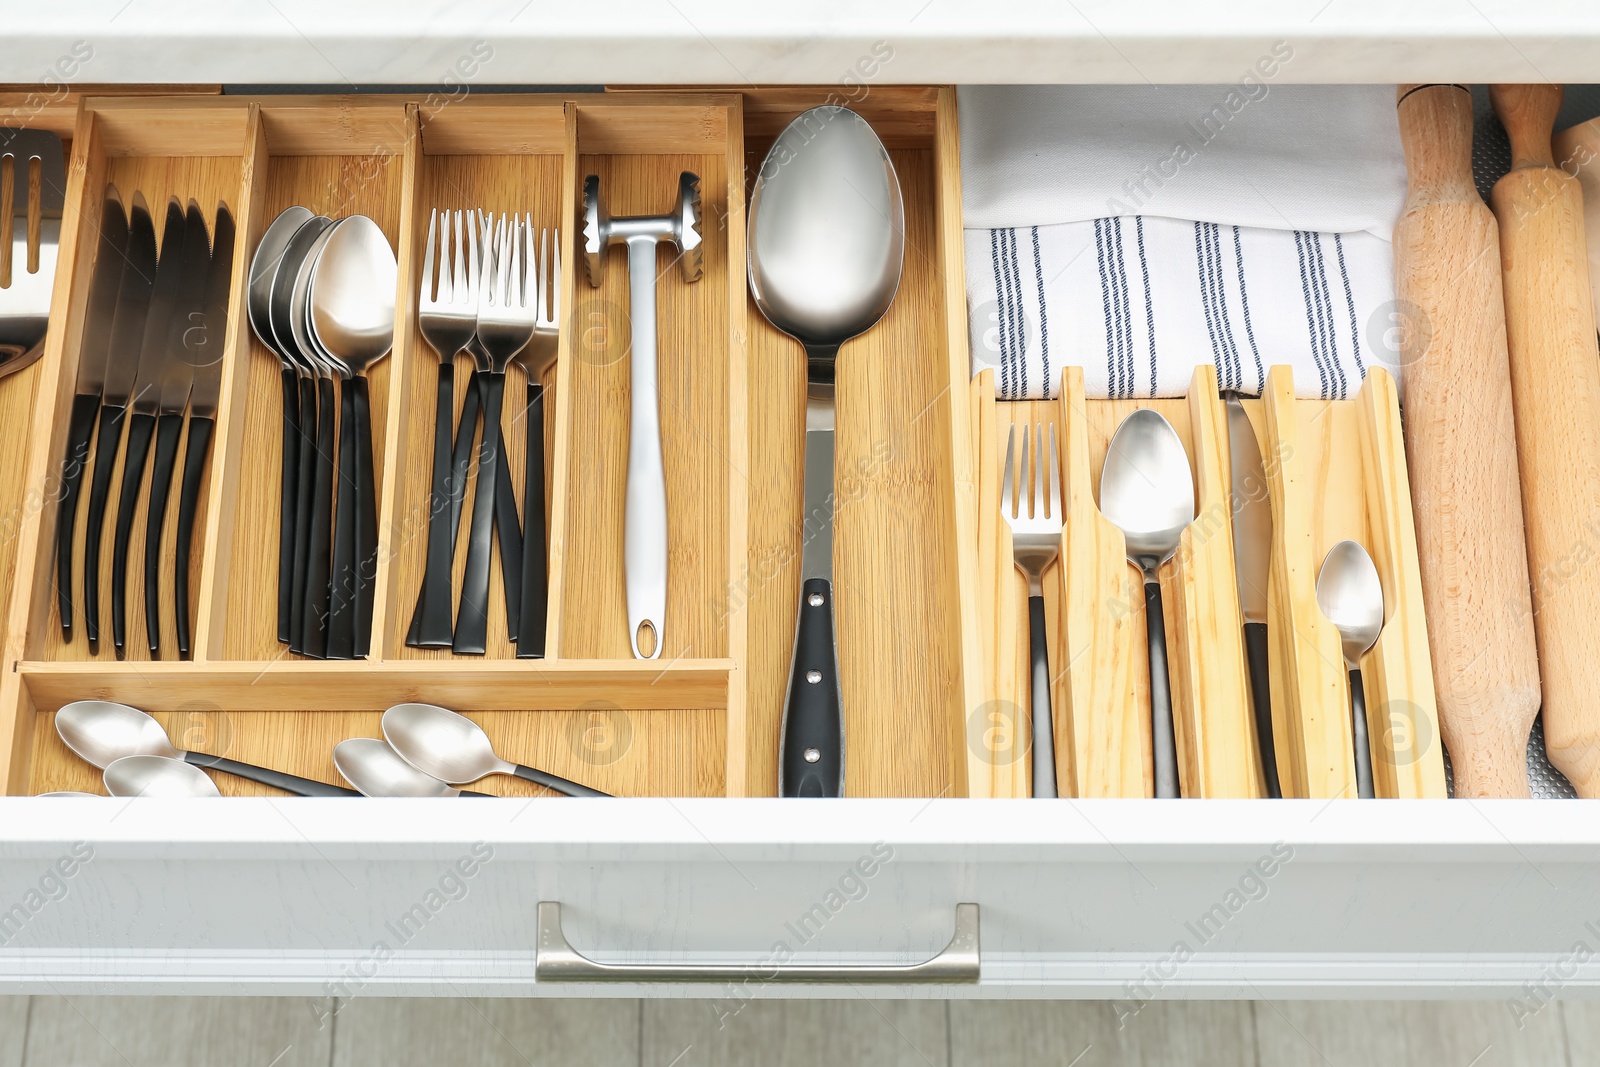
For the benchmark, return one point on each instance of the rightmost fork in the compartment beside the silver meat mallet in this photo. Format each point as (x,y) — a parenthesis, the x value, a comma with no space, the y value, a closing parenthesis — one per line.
(538,359)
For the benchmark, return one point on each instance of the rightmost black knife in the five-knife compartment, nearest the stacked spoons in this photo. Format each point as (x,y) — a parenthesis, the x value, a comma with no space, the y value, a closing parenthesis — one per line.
(207,359)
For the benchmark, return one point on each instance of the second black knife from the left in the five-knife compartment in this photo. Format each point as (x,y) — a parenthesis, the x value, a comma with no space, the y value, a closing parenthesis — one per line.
(122,367)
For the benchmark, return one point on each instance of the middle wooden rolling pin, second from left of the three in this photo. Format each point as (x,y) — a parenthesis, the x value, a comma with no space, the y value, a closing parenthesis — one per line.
(1556,394)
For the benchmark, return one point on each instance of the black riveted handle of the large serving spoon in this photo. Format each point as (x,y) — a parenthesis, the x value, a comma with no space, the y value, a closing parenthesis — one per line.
(812,762)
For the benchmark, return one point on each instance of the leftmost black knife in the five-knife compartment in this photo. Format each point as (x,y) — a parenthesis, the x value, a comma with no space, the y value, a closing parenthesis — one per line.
(110,257)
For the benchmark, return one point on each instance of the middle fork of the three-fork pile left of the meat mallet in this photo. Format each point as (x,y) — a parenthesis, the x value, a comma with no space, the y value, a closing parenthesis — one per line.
(506,322)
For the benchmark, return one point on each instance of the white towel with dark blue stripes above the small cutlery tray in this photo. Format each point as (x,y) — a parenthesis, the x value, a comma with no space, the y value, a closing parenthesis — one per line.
(1140,302)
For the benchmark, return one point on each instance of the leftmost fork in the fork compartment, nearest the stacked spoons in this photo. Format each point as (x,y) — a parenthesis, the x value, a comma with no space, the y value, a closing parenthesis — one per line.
(449,322)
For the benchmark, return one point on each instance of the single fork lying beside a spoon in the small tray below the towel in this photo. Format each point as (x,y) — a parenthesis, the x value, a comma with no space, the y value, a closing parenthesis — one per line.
(1031,505)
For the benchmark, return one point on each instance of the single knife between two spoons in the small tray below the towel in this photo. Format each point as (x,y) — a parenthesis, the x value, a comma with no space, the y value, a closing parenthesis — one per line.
(1252,510)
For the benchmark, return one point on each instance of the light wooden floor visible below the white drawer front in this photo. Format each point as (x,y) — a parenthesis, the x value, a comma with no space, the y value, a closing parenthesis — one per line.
(380,1033)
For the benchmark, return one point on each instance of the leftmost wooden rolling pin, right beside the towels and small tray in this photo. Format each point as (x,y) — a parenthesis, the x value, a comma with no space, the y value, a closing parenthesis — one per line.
(1462,450)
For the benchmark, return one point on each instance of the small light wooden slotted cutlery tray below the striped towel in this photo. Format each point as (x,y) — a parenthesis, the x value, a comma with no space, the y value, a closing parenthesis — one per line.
(1335,470)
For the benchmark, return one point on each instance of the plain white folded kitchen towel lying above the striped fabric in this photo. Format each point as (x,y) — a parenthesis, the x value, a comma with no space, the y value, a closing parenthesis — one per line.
(1292,158)
